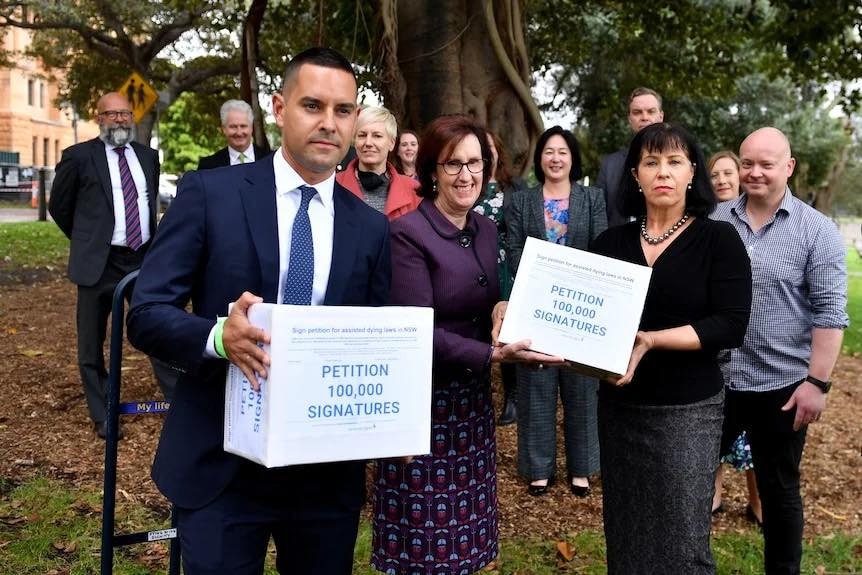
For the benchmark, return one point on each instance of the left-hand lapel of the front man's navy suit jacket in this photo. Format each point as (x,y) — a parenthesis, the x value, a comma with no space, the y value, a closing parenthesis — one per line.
(257,195)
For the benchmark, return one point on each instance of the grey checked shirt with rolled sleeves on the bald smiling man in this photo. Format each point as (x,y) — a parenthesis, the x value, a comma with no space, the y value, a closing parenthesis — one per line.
(799,282)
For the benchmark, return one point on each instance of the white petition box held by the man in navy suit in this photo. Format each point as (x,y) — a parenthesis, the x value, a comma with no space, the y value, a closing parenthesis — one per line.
(344,383)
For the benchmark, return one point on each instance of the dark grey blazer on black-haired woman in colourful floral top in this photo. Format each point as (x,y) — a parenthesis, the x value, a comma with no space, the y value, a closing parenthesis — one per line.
(526,218)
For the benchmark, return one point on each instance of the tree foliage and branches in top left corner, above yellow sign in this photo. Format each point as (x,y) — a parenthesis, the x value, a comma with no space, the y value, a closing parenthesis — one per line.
(96,46)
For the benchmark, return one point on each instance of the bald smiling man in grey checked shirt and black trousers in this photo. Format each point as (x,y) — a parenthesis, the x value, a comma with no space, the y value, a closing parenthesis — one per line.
(778,380)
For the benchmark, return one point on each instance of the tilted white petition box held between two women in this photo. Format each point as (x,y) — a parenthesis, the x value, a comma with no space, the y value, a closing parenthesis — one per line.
(577,305)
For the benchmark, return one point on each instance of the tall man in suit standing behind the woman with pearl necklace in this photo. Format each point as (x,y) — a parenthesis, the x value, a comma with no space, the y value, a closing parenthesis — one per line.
(645,109)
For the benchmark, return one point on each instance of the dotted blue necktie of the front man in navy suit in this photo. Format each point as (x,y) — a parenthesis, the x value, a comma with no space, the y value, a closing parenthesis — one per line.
(300,270)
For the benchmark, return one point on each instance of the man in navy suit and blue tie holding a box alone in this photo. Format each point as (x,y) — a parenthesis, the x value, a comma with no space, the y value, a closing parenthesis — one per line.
(228,239)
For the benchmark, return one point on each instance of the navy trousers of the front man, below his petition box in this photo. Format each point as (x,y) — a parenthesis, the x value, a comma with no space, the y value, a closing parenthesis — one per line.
(230,535)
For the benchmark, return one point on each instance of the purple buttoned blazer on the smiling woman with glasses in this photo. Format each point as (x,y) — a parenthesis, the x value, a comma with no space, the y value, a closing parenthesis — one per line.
(434,264)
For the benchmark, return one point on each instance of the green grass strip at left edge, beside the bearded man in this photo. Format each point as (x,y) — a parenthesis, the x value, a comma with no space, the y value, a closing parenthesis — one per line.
(32,244)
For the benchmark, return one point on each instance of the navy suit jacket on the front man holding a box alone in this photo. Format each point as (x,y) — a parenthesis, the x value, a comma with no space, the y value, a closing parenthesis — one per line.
(220,238)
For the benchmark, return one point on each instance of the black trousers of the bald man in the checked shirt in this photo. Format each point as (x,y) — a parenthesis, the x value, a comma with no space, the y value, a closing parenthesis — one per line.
(777,452)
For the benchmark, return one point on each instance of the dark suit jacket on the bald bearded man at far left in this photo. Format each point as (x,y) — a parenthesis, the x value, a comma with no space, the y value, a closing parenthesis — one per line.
(82,204)
